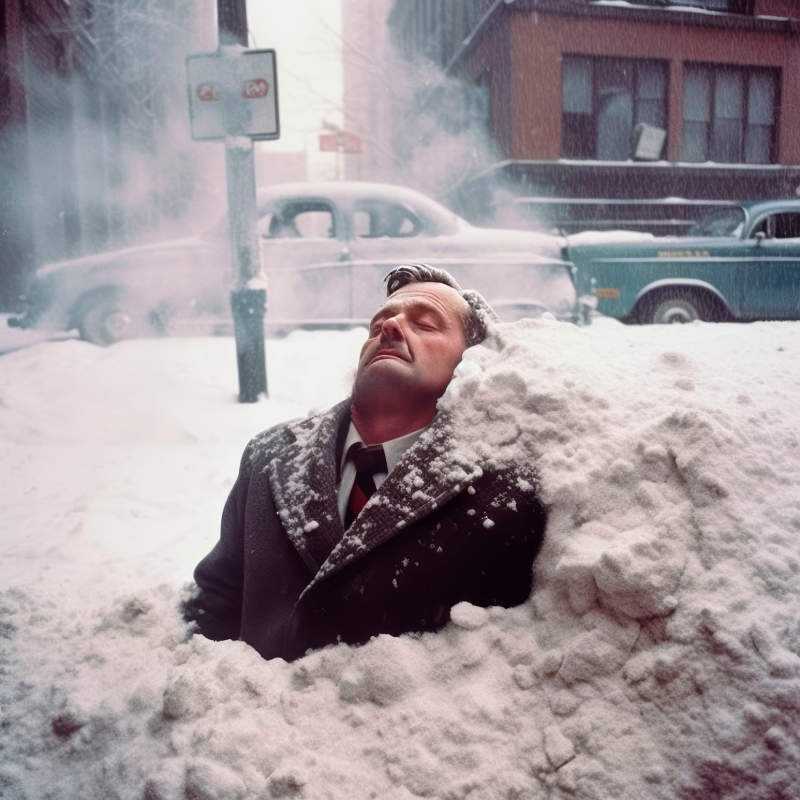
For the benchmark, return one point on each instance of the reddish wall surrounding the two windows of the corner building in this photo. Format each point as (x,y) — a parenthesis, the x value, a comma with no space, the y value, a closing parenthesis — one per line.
(538,41)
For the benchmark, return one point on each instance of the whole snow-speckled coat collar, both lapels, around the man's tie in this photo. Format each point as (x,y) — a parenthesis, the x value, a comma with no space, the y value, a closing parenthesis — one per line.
(304,480)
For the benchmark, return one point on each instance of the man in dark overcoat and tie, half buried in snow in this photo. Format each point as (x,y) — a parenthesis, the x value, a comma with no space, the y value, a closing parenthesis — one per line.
(364,519)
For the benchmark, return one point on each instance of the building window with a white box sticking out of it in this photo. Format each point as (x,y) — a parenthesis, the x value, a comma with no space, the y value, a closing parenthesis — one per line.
(604,99)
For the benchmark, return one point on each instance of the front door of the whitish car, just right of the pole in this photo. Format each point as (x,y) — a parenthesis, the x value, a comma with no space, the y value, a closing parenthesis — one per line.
(304,253)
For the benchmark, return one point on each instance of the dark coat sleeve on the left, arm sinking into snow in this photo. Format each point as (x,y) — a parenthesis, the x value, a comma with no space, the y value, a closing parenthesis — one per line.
(216,608)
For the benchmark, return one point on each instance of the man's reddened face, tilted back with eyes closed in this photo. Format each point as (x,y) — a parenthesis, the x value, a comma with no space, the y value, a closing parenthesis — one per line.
(416,340)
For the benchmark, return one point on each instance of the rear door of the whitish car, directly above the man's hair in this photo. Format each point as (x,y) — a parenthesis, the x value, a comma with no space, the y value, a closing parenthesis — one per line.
(384,234)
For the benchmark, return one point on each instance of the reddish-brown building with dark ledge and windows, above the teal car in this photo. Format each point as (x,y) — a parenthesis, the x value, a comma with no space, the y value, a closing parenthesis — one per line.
(622,101)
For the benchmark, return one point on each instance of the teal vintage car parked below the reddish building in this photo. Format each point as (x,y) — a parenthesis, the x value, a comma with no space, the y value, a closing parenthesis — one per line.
(740,262)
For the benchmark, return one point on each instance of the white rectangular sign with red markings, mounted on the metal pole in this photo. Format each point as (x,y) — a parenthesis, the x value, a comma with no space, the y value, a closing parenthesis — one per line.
(233,94)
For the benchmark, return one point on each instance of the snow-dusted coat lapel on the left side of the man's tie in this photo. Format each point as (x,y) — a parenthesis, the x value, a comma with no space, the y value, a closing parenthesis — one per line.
(303,482)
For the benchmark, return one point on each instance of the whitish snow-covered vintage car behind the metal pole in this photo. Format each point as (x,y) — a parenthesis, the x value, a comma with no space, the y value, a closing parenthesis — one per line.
(325,248)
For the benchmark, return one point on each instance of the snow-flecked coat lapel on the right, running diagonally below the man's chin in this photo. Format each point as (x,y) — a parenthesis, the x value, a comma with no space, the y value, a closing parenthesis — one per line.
(427,477)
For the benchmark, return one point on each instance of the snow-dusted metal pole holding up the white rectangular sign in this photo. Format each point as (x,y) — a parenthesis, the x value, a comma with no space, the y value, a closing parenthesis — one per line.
(248,298)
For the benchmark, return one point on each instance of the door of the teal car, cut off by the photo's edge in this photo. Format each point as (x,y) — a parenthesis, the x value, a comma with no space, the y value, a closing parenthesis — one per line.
(772,284)
